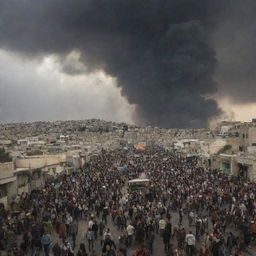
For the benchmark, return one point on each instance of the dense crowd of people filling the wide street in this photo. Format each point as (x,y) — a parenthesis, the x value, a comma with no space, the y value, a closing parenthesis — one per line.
(185,210)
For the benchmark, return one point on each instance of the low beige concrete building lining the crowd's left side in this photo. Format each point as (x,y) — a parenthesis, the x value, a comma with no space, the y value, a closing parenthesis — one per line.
(27,174)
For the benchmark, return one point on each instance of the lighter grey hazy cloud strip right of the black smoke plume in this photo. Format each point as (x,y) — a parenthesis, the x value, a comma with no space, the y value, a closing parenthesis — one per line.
(235,42)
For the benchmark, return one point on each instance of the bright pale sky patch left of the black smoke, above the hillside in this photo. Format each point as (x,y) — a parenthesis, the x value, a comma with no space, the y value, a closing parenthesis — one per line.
(38,90)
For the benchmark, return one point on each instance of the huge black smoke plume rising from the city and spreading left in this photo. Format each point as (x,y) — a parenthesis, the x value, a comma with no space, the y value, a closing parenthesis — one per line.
(159,50)
